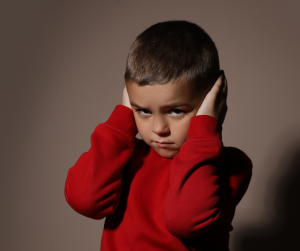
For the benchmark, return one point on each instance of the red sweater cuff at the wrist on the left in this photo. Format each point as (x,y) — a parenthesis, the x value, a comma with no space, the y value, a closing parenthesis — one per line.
(122,118)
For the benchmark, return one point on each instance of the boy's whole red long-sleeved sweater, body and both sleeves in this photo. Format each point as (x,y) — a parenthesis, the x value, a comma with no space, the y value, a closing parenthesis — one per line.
(154,203)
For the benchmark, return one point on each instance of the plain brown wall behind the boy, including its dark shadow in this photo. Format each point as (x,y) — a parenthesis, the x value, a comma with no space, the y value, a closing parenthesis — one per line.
(62,66)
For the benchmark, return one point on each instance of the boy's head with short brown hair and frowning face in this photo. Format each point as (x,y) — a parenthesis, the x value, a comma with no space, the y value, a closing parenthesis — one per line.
(170,62)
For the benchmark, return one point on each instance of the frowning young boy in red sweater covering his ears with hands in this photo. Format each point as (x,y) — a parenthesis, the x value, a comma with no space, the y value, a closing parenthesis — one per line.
(176,188)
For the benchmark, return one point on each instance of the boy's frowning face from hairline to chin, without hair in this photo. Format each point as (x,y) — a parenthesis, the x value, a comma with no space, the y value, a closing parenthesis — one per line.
(157,122)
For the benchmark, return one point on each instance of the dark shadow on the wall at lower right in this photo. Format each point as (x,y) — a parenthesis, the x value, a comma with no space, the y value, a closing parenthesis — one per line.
(283,231)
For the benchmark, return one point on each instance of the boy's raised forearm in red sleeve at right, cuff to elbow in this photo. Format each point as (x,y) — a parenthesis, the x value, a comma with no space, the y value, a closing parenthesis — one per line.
(192,203)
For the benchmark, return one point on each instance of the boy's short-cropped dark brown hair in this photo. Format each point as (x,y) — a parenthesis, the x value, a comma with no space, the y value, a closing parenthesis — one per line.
(170,51)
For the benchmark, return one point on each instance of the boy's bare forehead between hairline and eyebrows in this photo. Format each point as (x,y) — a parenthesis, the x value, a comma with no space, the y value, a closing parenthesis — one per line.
(159,95)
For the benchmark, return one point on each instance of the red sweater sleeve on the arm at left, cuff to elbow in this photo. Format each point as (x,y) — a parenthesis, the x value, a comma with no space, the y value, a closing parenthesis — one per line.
(93,185)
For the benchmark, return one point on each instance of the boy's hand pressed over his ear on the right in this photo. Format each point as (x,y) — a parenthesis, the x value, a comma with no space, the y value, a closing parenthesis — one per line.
(214,103)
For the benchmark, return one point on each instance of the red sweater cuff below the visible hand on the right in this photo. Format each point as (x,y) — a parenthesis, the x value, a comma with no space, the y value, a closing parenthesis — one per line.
(204,126)
